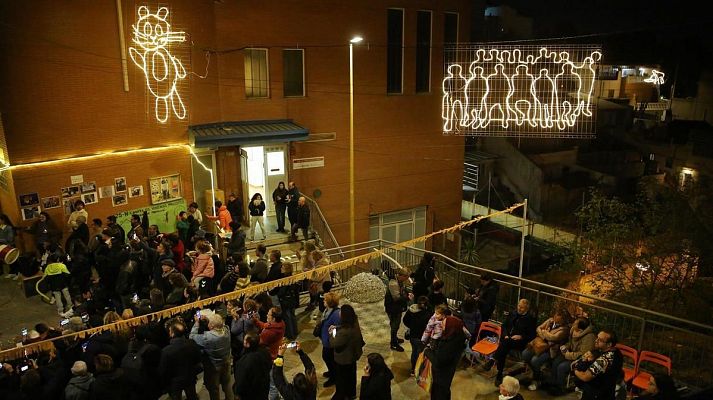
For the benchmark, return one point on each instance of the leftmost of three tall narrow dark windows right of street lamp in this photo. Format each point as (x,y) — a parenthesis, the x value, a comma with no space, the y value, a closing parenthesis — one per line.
(395,50)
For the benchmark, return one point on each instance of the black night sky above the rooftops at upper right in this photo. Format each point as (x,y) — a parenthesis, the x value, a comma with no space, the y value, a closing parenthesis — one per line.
(668,33)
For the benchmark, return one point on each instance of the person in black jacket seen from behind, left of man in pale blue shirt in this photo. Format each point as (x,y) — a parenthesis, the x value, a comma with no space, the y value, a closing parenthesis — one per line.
(179,363)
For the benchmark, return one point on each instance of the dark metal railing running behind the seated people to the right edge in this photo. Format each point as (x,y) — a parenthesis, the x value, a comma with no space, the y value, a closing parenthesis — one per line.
(689,344)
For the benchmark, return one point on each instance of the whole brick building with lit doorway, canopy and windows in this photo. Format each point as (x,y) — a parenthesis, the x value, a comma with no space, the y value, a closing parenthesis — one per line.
(266,98)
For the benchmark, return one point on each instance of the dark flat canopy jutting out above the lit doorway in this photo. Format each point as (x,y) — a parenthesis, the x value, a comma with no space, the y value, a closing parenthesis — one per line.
(240,133)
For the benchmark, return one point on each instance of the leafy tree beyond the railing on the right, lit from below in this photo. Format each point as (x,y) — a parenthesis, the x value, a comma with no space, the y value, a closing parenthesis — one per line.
(643,252)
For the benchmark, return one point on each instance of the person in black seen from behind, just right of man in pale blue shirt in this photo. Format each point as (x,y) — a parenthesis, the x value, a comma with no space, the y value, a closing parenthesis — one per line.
(252,372)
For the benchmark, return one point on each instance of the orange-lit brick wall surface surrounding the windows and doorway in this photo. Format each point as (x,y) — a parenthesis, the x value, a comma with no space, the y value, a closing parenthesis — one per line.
(63,95)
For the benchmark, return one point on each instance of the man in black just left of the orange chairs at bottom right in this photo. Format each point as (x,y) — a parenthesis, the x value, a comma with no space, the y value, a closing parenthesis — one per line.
(600,379)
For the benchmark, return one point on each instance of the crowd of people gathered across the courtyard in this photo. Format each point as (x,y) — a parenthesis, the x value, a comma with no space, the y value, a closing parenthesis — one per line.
(239,346)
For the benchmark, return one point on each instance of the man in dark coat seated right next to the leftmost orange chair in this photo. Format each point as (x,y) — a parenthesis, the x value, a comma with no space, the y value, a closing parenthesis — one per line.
(518,330)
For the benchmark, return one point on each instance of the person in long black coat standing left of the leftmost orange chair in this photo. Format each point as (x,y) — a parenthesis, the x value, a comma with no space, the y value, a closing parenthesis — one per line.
(445,357)
